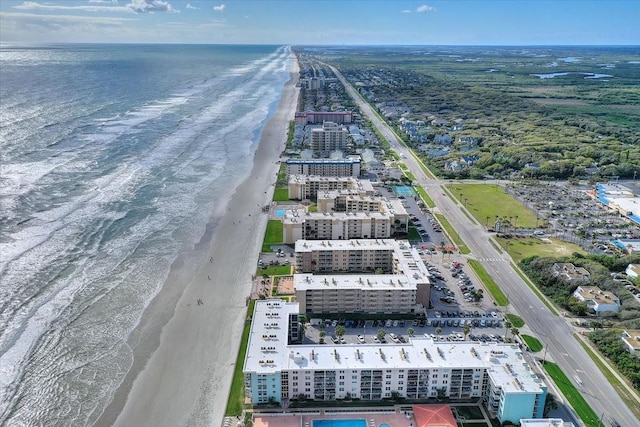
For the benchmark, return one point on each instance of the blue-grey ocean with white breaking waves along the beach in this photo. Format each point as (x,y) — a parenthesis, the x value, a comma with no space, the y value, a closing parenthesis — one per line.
(115,160)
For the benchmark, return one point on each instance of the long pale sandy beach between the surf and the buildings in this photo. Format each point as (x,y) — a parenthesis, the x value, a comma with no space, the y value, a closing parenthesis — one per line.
(184,351)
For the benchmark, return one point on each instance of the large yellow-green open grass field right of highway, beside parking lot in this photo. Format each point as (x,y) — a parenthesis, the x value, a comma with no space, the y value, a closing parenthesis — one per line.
(486,201)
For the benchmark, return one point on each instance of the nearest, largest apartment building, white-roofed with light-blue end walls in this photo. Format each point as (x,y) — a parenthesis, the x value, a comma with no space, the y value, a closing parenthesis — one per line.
(275,370)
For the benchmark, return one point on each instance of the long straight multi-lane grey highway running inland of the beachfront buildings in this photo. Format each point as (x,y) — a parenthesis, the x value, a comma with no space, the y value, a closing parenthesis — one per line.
(557,335)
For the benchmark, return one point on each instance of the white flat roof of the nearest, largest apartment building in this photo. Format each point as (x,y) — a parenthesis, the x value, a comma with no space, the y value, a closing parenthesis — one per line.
(268,352)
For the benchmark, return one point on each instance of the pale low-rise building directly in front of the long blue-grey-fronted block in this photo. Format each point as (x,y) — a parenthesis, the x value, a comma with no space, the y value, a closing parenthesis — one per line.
(307,187)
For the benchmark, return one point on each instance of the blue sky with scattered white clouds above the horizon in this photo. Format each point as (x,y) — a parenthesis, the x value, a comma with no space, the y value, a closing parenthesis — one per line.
(349,22)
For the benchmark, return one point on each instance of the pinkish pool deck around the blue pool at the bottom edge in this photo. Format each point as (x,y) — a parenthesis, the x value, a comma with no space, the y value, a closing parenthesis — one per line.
(393,419)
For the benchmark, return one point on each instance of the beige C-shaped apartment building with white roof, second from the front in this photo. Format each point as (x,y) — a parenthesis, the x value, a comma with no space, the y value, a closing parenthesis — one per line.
(401,283)
